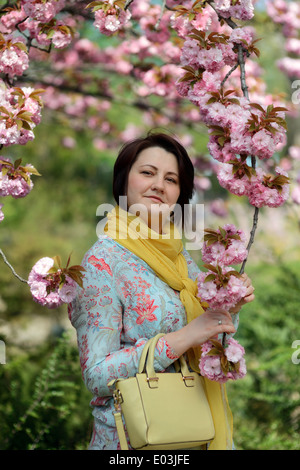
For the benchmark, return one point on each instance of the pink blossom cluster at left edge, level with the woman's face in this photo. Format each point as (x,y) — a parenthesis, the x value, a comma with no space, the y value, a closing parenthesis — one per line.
(15,180)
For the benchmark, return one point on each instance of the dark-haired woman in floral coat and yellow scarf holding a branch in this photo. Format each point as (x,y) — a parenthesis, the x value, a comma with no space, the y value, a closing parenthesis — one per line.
(139,281)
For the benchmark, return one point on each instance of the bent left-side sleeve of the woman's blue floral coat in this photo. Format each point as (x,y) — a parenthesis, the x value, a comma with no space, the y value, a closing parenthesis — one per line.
(96,314)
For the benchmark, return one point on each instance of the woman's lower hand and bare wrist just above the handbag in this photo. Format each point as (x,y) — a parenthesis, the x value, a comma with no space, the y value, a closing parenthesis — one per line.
(208,325)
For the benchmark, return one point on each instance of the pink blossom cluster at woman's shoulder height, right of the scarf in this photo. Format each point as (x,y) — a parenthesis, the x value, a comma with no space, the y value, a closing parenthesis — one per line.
(226,246)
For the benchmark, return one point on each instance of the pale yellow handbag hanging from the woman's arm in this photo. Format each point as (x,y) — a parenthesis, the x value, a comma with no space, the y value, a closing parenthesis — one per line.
(162,410)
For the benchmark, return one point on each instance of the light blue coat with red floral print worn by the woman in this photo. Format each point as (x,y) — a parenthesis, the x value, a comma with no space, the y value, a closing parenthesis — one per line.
(122,304)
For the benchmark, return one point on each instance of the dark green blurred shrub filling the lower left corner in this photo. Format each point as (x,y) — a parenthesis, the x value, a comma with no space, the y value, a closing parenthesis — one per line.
(44,404)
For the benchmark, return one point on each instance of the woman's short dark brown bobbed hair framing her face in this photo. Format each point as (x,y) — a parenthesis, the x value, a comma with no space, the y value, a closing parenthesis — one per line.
(130,151)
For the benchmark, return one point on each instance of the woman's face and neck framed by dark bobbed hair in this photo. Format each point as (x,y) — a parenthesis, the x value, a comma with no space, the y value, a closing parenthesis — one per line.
(153,183)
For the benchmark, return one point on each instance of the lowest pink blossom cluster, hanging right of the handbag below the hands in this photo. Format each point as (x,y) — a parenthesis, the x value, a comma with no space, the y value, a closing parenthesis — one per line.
(223,364)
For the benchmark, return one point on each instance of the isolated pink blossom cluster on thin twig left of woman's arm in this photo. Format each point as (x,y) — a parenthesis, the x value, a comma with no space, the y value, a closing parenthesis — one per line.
(49,288)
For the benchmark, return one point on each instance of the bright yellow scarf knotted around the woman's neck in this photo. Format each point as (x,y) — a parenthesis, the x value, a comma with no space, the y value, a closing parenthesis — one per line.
(163,253)
